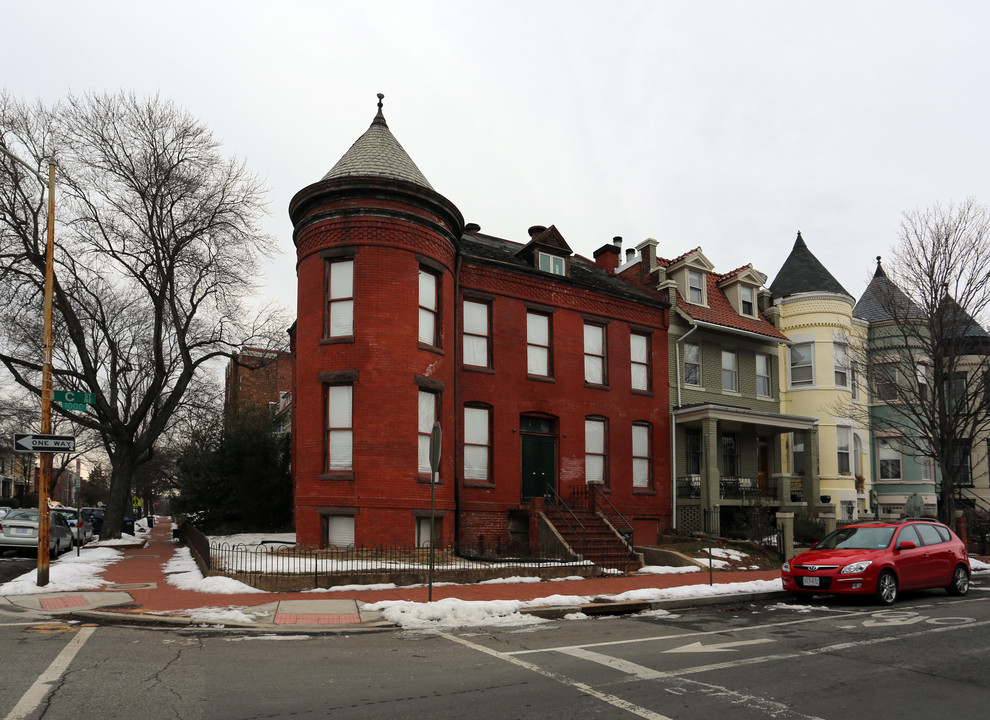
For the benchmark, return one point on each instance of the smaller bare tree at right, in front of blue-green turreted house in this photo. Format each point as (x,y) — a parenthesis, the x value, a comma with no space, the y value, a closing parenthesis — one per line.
(928,360)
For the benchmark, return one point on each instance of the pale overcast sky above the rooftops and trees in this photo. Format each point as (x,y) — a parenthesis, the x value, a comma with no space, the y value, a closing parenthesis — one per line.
(725,125)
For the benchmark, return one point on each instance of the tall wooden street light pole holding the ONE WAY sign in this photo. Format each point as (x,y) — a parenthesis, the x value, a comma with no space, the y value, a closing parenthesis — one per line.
(45,471)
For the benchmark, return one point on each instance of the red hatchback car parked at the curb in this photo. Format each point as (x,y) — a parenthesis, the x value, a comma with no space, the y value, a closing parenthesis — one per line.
(880,559)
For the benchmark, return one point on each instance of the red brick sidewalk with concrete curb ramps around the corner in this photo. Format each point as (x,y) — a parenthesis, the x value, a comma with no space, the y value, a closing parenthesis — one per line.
(138,590)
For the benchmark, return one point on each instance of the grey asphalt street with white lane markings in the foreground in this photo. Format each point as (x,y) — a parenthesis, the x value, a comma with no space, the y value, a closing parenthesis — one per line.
(927,656)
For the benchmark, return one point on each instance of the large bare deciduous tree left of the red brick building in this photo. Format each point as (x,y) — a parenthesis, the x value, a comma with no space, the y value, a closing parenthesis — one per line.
(157,248)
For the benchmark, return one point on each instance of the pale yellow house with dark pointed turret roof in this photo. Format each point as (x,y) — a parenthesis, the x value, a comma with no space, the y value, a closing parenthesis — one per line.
(818,379)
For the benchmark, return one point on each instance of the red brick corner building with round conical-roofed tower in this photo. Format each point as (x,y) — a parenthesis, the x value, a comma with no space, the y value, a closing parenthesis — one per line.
(545,372)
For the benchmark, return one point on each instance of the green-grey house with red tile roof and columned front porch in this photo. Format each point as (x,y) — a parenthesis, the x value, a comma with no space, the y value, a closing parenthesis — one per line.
(725,394)
